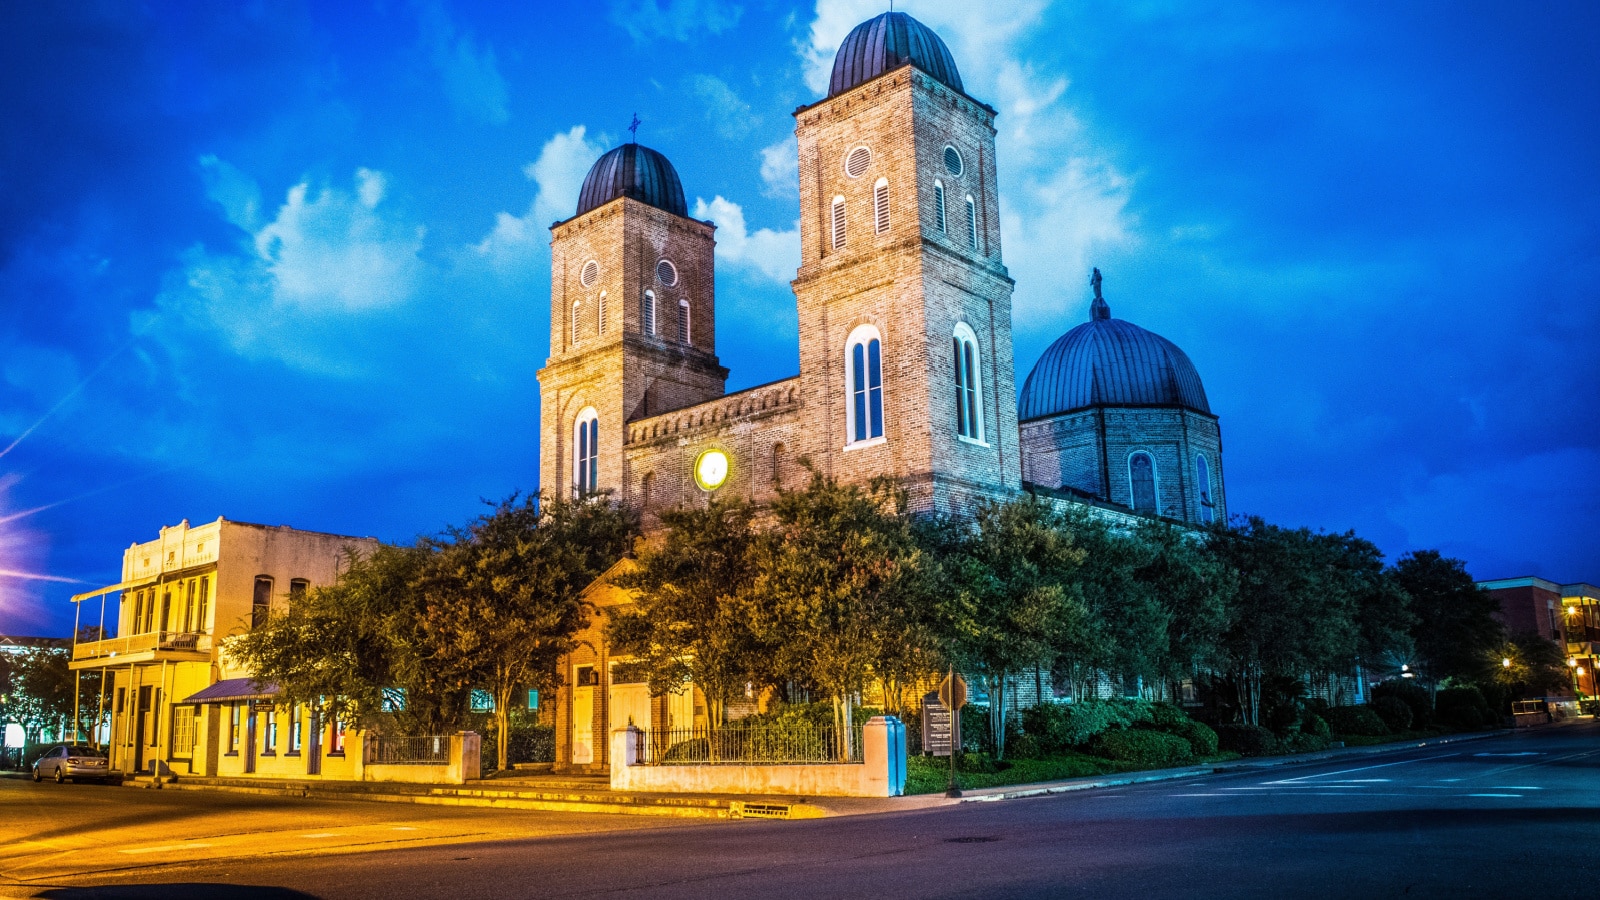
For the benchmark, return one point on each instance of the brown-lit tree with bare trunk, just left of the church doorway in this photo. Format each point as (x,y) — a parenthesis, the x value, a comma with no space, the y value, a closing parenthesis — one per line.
(503,597)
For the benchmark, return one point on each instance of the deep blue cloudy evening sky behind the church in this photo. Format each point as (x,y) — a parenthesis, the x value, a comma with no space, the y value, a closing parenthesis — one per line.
(289,263)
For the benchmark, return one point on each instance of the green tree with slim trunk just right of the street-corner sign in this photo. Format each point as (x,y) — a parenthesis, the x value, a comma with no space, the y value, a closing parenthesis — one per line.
(1014,605)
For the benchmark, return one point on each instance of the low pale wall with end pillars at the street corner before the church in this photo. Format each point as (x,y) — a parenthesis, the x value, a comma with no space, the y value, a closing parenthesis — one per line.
(882,773)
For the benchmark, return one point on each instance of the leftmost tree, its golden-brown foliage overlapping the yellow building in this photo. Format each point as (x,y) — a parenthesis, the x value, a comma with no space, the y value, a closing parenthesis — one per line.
(340,646)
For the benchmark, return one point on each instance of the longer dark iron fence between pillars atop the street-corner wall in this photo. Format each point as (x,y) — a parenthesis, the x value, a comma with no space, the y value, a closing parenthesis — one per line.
(735,745)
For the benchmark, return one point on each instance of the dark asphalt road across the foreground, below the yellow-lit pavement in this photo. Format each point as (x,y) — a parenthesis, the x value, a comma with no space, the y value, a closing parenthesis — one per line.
(1506,818)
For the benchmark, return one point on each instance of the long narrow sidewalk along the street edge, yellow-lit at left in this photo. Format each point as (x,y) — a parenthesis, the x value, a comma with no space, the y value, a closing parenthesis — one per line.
(558,794)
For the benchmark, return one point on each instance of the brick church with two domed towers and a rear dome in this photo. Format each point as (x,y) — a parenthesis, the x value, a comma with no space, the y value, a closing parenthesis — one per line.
(906,366)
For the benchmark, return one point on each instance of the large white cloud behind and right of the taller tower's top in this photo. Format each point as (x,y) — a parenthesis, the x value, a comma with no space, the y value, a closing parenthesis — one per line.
(1063,203)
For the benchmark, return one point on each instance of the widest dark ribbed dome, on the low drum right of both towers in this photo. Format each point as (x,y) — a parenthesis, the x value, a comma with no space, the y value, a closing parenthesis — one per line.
(1111,363)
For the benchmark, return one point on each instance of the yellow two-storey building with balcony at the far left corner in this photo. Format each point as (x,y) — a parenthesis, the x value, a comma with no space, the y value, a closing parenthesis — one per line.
(175,704)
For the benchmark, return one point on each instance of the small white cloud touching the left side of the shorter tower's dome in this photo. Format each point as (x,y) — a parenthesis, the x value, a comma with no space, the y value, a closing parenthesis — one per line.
(558,175)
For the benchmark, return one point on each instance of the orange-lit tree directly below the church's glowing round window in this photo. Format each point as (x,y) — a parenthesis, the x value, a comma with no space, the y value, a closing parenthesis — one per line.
(690,624)
